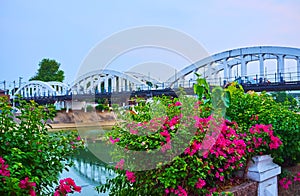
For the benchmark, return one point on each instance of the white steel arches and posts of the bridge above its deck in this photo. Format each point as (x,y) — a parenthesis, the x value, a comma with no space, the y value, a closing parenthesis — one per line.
(115,81)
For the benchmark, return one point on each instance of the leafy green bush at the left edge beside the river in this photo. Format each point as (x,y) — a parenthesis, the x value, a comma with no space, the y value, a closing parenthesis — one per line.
(30,150)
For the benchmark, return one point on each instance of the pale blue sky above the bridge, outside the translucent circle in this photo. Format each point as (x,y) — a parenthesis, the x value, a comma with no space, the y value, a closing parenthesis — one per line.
(67,30)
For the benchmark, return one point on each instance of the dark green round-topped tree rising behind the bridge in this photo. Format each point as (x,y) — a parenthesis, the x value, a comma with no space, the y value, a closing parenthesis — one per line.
(49,71)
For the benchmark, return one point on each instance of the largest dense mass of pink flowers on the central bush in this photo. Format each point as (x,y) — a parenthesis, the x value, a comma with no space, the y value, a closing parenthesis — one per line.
(226,143)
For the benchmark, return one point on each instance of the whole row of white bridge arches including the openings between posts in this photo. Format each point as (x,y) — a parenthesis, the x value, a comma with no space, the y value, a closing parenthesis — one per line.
(218,69)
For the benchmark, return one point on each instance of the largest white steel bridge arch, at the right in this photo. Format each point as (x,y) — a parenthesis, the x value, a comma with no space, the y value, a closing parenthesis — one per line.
(227,59)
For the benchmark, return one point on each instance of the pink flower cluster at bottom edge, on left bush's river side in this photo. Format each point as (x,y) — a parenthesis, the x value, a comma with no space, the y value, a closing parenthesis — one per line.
(66,186)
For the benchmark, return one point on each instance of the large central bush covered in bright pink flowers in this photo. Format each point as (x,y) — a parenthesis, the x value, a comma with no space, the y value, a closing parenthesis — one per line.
(198,151)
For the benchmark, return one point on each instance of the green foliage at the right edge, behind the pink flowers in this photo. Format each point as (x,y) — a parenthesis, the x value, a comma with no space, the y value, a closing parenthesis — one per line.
(248,109)
